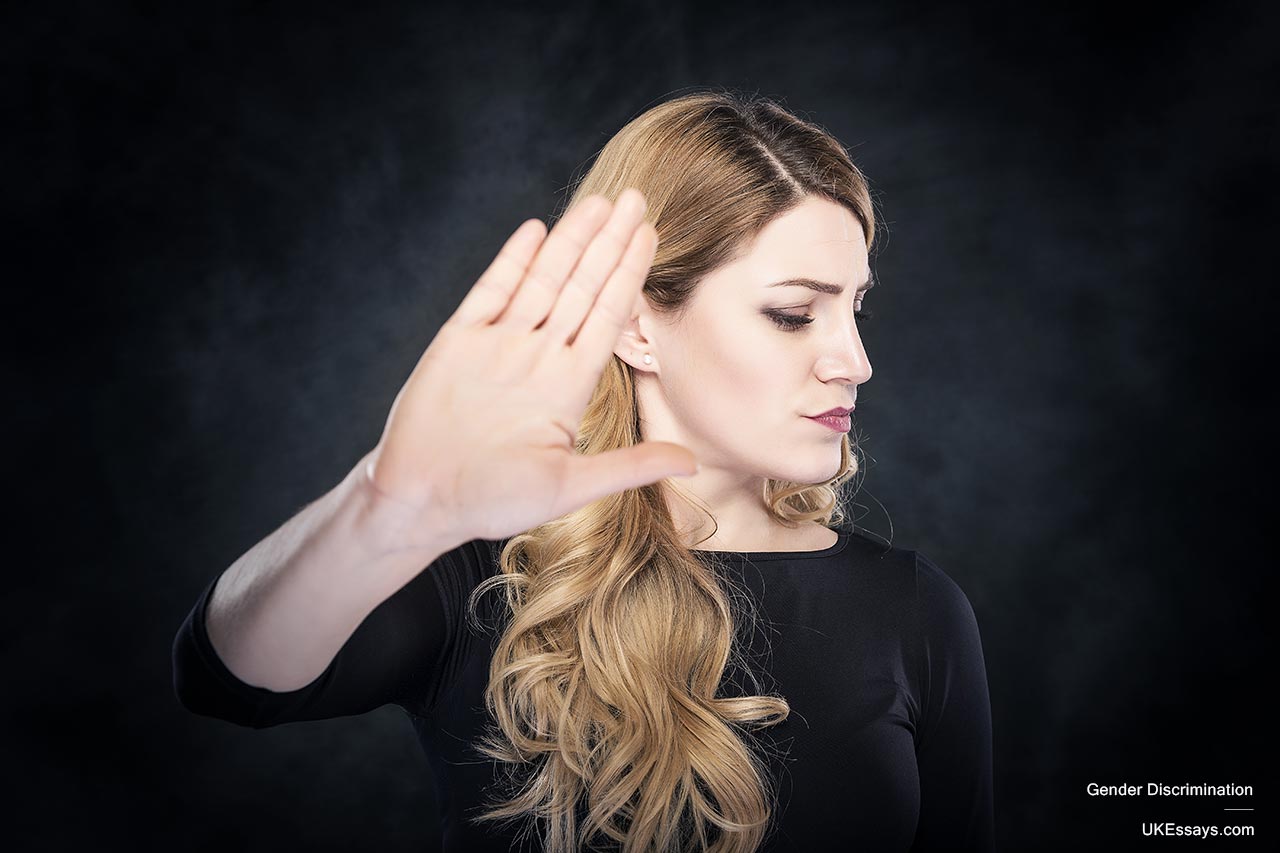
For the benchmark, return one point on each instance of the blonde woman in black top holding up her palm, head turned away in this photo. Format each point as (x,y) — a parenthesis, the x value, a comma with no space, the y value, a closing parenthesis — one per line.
(714,663)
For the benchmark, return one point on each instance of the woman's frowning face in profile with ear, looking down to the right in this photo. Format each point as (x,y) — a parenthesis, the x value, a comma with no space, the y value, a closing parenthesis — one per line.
(738,377)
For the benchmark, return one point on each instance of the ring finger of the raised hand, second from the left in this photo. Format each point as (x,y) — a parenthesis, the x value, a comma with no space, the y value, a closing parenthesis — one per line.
(555,263)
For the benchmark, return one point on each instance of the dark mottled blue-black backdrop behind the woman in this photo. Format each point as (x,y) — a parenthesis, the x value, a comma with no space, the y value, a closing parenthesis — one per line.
(235,230)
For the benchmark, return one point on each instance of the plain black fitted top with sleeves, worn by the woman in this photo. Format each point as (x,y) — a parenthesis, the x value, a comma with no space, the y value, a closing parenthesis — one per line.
(888,747)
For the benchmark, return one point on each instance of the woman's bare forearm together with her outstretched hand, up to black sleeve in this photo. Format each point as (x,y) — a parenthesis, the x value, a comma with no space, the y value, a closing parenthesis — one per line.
(479,444)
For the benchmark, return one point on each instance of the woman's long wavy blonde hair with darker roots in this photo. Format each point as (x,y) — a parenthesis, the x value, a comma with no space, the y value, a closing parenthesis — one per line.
(604,685)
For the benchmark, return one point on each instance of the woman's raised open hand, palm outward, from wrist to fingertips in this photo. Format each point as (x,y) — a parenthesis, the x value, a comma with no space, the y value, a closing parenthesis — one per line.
(481,441)
